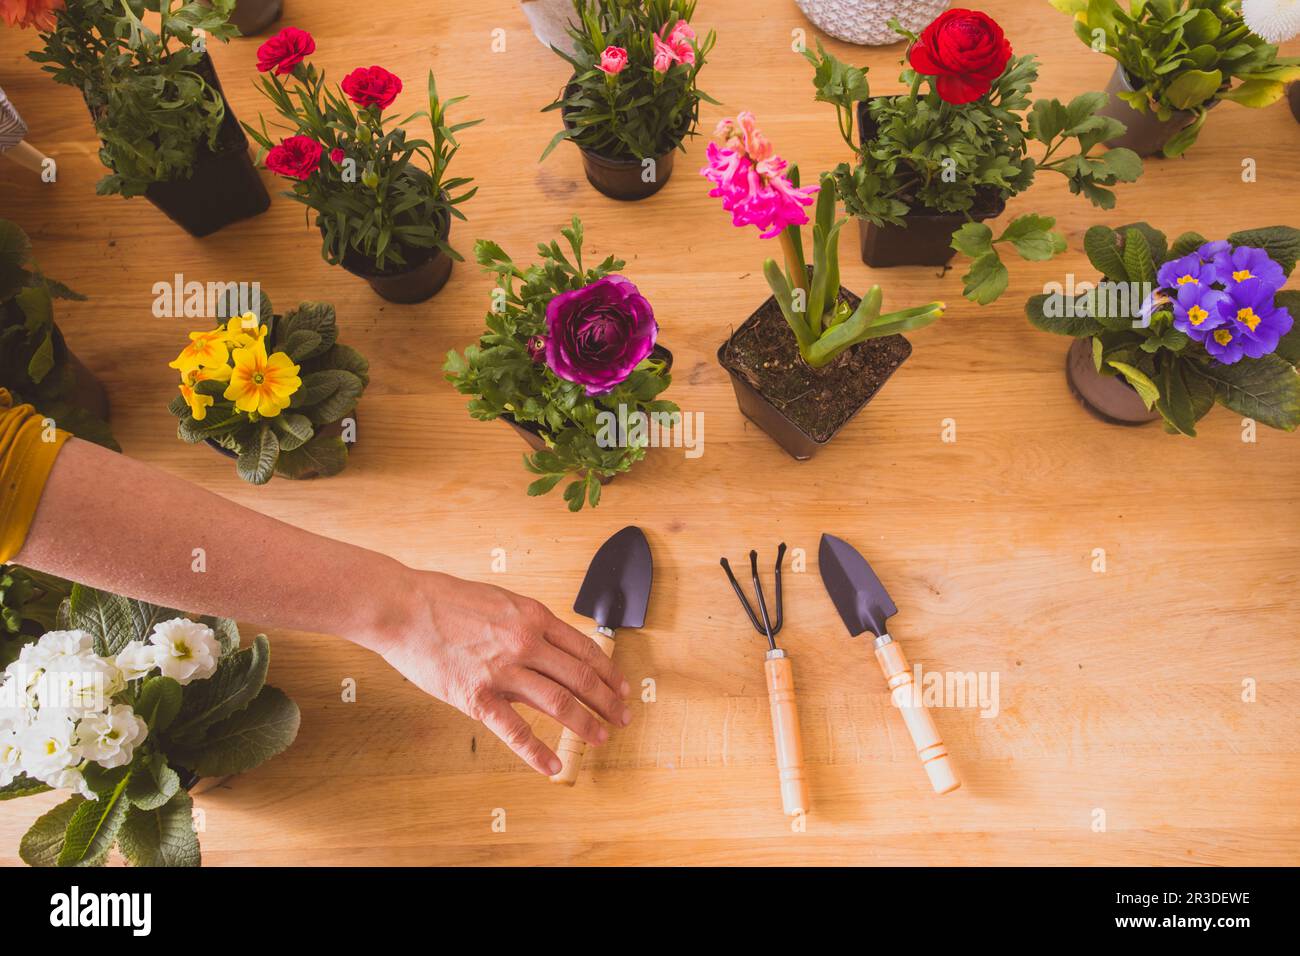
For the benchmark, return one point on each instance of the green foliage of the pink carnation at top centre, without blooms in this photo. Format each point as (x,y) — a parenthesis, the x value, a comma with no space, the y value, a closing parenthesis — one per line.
(640,114)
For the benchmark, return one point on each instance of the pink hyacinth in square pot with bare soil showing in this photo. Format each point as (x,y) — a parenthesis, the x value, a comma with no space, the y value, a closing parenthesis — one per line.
(814,354)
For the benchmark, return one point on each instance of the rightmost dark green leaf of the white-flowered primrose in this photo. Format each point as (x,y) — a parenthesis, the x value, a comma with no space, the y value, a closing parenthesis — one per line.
(248,738)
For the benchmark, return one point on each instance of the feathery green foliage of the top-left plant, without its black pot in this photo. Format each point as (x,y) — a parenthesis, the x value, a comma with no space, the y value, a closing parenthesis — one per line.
(151,106)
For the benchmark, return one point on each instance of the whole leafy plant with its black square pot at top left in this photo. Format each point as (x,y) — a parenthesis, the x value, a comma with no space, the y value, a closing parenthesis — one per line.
(166,129)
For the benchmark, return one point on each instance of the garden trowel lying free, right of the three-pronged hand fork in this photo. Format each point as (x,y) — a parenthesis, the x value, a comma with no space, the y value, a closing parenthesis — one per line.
(865,605)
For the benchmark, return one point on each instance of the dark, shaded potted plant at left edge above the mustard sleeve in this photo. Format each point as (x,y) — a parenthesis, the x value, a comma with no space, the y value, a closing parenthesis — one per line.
(36,365)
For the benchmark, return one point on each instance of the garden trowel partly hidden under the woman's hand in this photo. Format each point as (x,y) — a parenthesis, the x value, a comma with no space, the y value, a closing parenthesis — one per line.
(614,594)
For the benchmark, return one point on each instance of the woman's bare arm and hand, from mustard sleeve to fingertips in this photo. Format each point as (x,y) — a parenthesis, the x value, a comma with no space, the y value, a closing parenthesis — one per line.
(123,526)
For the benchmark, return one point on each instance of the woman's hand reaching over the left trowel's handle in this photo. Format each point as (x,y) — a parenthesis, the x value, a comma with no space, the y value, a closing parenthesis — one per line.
(482,648)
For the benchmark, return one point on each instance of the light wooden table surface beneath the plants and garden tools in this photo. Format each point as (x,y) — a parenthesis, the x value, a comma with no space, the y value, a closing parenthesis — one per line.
(1121,737)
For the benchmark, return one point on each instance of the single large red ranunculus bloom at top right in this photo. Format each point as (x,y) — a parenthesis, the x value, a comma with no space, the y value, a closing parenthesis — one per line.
(965,51)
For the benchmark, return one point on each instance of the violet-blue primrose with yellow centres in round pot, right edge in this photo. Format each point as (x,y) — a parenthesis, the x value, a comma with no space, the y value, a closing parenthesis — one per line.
(1169,331)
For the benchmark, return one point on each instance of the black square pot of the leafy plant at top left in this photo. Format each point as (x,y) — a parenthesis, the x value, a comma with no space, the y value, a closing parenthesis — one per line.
(224,187)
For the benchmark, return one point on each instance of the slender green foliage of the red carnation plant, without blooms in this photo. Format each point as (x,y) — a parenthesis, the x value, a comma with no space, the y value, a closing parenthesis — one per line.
(378,205)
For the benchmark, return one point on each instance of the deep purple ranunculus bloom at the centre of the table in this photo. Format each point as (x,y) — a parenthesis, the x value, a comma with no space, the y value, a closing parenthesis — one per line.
(597,335)
